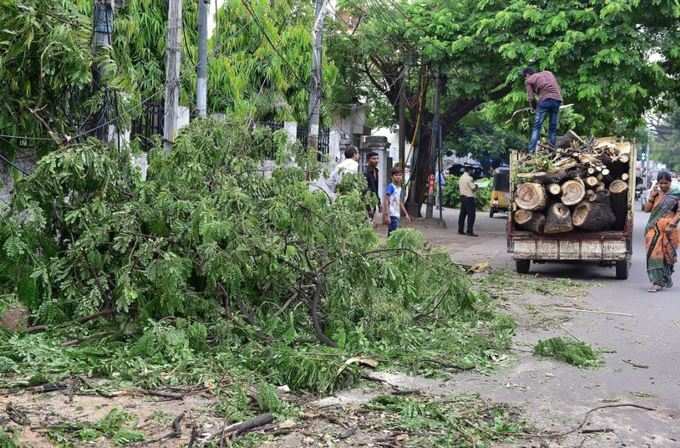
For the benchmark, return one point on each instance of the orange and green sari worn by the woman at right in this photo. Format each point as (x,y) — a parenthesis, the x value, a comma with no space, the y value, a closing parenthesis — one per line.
(661,245)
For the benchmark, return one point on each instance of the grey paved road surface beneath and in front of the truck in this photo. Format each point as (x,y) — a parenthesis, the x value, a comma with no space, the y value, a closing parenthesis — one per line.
(557,394)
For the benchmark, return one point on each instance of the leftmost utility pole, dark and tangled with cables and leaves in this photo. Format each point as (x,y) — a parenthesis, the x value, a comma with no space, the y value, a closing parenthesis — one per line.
(103,30)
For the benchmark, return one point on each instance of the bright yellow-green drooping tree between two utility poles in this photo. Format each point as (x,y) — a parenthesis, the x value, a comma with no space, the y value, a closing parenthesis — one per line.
(260,65)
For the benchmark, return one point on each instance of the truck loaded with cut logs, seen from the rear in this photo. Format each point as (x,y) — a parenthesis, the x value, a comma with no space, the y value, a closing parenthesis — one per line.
(573,203)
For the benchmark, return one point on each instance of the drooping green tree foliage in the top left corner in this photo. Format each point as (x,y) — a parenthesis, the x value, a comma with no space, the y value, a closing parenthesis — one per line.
(45,68)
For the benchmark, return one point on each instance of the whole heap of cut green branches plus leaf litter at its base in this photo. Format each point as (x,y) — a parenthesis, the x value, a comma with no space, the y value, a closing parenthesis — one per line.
(211,269)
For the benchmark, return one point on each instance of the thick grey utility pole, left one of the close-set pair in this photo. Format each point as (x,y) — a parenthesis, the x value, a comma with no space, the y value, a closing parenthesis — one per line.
(172,66)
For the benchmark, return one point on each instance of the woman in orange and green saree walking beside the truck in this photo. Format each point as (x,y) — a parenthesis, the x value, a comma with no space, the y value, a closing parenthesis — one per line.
(661,234)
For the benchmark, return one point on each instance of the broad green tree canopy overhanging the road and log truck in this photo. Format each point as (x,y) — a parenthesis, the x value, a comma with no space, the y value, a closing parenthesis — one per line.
(600,51)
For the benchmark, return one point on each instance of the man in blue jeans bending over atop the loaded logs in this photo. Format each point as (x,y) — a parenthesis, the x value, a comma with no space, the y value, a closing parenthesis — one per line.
(545,97)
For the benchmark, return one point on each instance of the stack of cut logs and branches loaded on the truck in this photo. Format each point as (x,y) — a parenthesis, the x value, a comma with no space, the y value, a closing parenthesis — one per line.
(586,188)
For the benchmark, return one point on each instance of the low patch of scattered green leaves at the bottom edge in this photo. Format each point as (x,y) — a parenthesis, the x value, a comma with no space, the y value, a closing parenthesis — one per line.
(460,422)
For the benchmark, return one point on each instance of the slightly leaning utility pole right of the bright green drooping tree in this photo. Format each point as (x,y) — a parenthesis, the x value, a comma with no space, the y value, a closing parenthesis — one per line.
(315,90)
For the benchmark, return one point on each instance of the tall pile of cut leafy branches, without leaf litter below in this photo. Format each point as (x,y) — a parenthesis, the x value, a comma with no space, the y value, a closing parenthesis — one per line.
(209,234)
